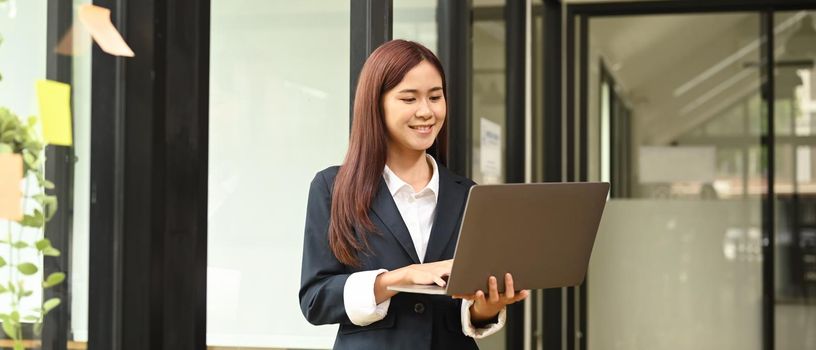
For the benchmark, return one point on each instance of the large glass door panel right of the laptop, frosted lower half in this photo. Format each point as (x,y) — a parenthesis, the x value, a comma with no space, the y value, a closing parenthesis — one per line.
(674,123)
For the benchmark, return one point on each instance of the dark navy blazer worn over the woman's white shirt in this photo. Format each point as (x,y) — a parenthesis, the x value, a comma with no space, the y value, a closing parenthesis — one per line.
(414,321)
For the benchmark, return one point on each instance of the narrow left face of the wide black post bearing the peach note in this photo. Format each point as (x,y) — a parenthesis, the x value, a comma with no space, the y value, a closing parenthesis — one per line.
(106,211)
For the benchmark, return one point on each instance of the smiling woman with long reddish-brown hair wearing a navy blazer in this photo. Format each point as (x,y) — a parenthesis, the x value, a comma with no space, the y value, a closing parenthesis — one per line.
(389,216)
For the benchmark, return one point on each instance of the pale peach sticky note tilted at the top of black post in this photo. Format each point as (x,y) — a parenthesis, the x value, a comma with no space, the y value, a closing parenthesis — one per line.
(97,20)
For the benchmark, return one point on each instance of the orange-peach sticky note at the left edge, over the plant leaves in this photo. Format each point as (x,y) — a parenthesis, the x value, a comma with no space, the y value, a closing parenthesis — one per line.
(11,173)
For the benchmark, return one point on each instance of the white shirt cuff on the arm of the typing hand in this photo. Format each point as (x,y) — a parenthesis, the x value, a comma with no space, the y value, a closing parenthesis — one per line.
(359,300)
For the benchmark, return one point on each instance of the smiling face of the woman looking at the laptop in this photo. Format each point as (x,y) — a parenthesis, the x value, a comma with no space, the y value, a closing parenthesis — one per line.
(415,109)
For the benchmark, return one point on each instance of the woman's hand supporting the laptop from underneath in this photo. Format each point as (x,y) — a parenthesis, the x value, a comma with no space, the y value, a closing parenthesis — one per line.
(487,307)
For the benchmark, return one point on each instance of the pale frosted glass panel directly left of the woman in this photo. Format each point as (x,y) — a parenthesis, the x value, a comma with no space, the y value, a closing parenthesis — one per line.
(279,95)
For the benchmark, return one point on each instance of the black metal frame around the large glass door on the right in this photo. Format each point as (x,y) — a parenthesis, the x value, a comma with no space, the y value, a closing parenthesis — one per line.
(583,12)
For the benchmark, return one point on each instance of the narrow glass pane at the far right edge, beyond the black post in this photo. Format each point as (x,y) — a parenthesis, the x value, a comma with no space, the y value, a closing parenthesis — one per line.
(795,183)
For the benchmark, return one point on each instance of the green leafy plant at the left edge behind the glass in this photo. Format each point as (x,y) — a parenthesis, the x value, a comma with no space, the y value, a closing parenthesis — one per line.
(22,242)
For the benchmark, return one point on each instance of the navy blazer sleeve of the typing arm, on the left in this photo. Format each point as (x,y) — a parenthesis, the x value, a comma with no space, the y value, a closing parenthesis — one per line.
(322,276)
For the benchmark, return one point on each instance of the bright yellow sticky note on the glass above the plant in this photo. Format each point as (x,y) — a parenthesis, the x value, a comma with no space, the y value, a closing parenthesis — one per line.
(55,111)
